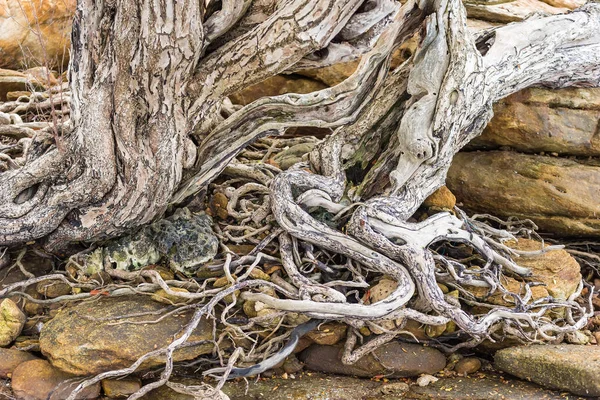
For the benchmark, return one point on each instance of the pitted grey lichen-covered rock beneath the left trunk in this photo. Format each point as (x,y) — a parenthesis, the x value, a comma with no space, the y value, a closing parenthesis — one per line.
(185,239)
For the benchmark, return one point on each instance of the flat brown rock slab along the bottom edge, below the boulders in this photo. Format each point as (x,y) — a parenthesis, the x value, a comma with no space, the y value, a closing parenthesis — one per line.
(318,386)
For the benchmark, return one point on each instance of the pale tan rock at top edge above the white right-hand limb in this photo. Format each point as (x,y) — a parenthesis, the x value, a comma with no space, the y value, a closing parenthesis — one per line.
(508,11)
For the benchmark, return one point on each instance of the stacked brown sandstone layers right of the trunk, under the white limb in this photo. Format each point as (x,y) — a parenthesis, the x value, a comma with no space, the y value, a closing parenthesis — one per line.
(538,159)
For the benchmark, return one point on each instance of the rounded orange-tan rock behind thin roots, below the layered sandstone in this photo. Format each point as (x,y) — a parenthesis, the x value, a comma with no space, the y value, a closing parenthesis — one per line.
(556,269)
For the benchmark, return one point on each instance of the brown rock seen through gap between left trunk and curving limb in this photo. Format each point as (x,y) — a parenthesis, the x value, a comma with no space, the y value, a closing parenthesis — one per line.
(276,85)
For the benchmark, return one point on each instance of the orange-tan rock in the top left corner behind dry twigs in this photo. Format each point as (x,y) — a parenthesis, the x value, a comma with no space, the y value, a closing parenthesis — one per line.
(35,33)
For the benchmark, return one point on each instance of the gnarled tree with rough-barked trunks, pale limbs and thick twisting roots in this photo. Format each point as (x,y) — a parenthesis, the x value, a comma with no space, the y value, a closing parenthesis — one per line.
(150,126)
